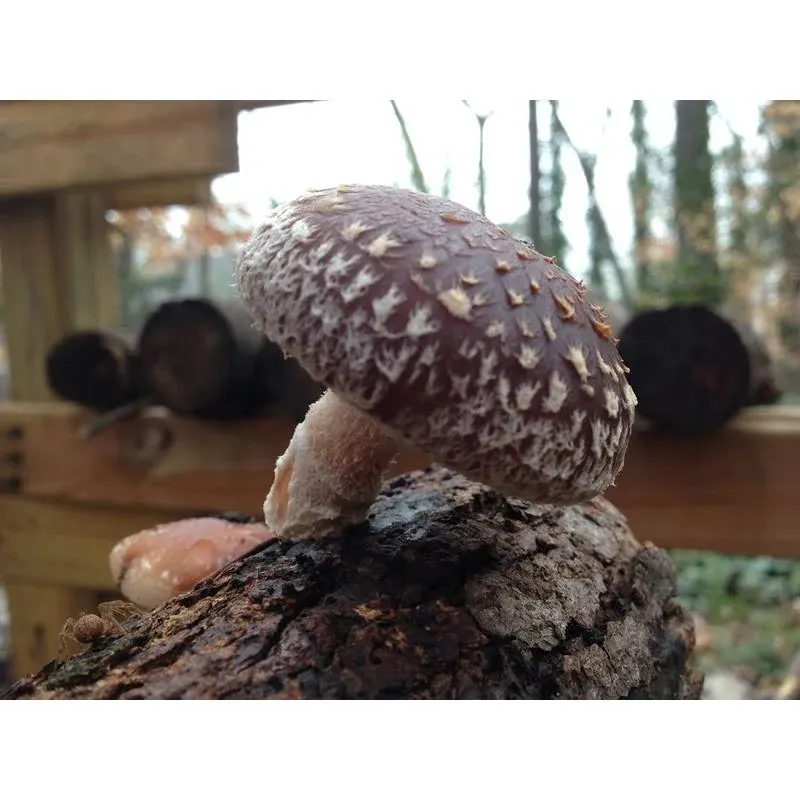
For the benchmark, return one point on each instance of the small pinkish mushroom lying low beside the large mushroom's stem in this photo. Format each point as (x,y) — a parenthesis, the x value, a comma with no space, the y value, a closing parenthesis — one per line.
(154,565)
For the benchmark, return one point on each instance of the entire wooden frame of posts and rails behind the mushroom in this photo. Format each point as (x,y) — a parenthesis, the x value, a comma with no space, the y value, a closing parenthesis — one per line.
(64,500)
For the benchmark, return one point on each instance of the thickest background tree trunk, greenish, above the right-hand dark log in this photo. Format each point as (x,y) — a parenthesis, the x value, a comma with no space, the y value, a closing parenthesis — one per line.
(698,278)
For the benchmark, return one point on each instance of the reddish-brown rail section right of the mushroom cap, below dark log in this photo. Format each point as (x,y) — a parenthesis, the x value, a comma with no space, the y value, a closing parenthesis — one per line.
(735,492)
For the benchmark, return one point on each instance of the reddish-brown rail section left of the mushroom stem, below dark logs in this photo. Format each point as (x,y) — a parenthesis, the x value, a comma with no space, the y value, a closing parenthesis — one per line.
(203,466)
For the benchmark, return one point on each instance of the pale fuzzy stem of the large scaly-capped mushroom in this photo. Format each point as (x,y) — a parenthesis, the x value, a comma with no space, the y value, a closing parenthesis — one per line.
(331,471)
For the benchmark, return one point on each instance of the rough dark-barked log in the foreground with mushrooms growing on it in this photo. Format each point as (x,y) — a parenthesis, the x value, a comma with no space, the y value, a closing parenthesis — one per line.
(448,590)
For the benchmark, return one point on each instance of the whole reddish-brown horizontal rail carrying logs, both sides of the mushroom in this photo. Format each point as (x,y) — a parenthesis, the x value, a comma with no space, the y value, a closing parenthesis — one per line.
(734,492)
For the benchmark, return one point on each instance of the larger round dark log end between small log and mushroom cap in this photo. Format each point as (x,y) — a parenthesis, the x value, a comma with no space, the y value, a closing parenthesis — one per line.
(199,358)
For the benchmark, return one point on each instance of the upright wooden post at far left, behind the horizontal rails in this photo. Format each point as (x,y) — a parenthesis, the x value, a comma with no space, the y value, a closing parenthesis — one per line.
(58,275)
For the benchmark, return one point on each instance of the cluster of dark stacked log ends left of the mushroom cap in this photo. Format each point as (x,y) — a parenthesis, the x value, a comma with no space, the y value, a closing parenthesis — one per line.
(196,357)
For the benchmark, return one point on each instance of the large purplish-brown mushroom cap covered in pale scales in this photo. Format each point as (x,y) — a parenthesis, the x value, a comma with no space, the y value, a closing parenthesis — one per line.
(461,340)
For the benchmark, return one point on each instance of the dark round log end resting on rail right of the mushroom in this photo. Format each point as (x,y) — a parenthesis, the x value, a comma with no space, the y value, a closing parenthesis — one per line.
(692,369)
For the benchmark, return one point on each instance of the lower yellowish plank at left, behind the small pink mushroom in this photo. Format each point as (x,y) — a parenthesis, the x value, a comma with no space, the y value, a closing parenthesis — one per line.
(50,543)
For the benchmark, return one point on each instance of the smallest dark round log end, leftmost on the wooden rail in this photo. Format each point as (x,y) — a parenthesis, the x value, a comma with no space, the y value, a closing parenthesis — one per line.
(95,369)
